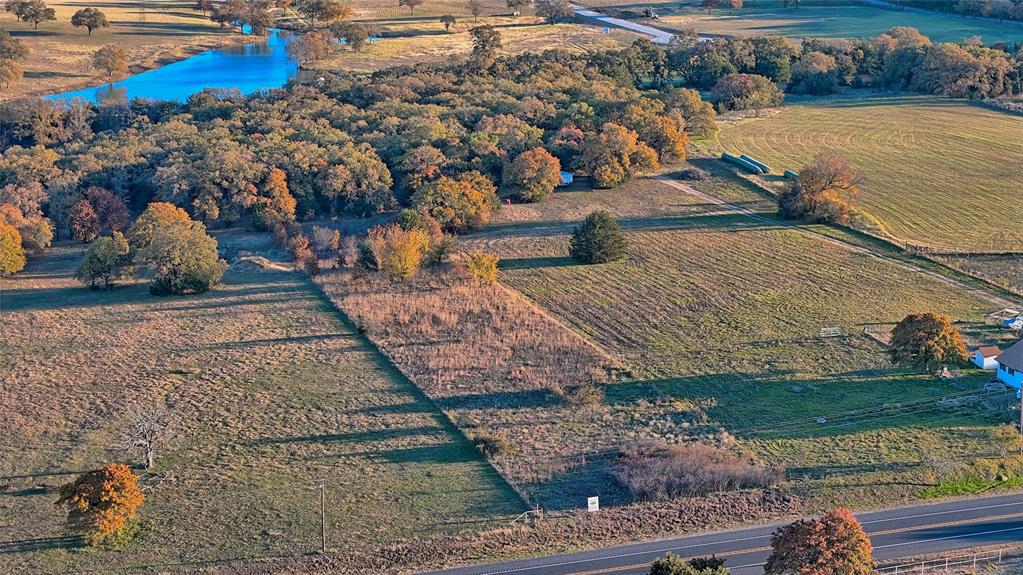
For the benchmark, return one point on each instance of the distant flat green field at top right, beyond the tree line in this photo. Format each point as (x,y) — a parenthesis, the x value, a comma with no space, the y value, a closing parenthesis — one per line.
(768,18)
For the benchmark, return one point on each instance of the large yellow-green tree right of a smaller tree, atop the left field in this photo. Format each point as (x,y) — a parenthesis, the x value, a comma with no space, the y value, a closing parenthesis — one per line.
(182,256)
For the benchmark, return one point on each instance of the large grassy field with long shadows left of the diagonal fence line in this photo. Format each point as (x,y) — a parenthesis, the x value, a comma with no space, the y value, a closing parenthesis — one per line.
(270,391)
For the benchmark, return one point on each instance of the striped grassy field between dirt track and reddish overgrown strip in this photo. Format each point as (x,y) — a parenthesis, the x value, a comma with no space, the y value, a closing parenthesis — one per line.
(721,318)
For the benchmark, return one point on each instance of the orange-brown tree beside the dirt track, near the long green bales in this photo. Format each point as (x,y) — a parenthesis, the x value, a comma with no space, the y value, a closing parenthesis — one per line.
(825,192)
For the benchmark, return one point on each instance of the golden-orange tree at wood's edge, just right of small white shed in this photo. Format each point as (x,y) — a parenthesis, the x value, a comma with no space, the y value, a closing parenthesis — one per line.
(613,157)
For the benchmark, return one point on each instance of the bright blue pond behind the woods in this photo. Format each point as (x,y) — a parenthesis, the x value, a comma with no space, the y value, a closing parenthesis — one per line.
(249,68)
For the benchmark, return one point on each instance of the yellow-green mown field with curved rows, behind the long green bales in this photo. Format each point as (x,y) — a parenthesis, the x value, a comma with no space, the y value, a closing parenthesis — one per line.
(935,172)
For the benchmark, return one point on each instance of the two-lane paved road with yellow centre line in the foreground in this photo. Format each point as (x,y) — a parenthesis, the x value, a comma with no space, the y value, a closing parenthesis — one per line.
(896,534)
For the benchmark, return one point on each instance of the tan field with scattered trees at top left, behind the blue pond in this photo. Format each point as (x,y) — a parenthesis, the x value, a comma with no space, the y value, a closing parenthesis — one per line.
(153,33)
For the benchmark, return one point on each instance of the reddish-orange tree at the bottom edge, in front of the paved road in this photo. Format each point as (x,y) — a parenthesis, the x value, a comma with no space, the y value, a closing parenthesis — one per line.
(834,545)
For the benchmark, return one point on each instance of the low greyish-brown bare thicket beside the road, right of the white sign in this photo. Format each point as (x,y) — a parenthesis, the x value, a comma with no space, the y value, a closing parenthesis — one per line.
(657,472)
